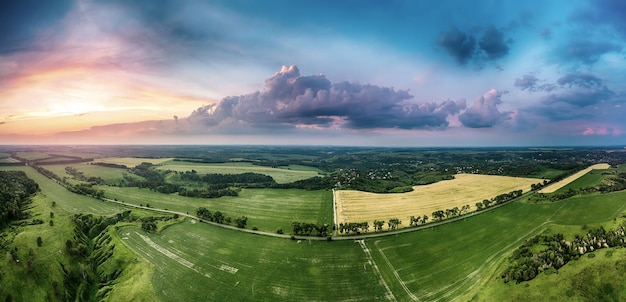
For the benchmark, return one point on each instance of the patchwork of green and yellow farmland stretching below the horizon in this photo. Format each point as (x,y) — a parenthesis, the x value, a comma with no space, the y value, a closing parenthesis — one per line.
(184,259)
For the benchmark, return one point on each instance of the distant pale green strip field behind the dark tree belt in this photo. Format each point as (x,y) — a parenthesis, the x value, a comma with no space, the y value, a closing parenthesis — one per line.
(281,175)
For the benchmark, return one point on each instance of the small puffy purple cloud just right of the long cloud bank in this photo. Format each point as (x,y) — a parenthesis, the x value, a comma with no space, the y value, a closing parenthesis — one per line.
(484,113)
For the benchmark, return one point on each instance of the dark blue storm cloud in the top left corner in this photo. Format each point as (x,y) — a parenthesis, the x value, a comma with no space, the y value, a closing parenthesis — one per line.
(22,21)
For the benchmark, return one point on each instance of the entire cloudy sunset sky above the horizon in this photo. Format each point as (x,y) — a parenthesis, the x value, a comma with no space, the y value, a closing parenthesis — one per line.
(362,73)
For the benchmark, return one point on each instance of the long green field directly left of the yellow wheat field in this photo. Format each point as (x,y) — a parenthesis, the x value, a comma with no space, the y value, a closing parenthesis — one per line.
(267,209)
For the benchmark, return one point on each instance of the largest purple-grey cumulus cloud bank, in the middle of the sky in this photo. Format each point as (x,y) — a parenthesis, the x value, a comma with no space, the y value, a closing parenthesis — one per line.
(291,100)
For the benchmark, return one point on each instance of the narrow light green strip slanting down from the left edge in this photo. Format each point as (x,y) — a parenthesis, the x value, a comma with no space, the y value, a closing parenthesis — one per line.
(68,201)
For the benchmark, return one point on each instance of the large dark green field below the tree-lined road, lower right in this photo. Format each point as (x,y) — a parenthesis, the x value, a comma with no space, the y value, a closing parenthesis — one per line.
(455,259)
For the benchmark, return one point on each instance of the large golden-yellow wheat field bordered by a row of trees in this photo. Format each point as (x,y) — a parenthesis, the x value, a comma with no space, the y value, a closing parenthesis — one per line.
(464,189)
